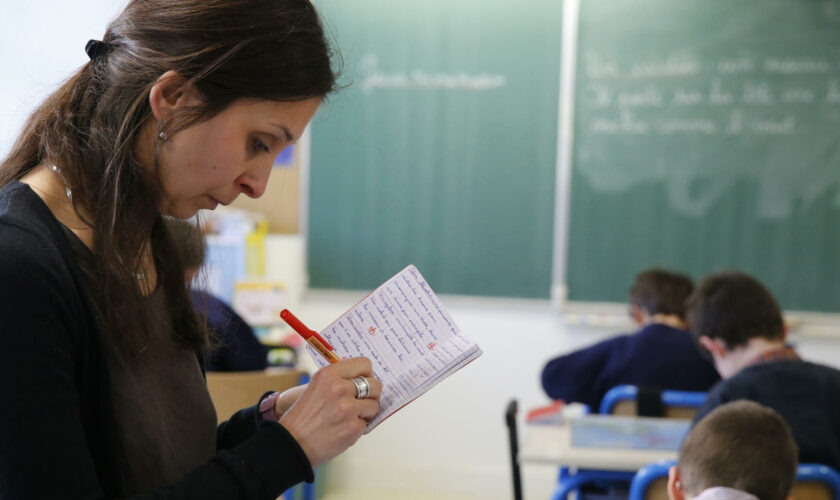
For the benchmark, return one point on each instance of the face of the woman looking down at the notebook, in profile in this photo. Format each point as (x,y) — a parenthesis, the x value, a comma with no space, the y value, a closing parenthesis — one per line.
(213,162)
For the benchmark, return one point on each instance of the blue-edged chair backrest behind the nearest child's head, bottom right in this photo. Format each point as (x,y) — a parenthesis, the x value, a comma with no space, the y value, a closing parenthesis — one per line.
(813,482)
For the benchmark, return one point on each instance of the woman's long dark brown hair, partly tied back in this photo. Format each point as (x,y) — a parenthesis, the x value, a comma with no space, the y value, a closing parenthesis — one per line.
(229,50)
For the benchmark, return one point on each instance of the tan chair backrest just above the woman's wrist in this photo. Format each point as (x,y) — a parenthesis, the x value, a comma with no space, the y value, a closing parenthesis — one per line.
(232,391)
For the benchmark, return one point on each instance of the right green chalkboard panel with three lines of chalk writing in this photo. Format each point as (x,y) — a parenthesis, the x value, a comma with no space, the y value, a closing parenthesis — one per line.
(707,136)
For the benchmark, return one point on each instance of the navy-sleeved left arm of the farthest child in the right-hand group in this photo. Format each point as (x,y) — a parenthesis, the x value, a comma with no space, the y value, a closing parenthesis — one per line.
(578,376)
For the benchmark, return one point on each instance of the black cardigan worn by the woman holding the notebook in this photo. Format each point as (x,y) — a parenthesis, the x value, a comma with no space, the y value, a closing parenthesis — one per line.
(57,423)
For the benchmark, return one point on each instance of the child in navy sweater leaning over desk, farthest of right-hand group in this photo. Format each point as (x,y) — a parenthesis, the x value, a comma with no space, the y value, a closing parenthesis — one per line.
(661,354)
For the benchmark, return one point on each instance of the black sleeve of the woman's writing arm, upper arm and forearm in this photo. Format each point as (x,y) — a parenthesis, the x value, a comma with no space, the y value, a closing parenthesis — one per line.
(42,427)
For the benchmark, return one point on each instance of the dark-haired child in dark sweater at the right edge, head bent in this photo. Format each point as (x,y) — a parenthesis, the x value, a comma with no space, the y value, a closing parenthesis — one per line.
(738,321)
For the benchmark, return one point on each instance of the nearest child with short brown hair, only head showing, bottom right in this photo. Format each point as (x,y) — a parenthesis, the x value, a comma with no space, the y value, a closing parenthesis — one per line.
(740,451)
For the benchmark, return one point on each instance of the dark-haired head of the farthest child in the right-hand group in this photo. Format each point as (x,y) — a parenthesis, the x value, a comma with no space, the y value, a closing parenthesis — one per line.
(659,291)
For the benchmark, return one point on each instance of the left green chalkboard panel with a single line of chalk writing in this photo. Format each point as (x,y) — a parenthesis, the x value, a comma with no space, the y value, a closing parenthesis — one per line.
(441,152)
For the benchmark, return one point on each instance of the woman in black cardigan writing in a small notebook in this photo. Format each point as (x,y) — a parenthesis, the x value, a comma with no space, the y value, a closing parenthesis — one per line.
(183,105)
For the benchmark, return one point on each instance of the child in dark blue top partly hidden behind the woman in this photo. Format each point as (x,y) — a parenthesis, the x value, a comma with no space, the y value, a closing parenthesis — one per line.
(235,347)
